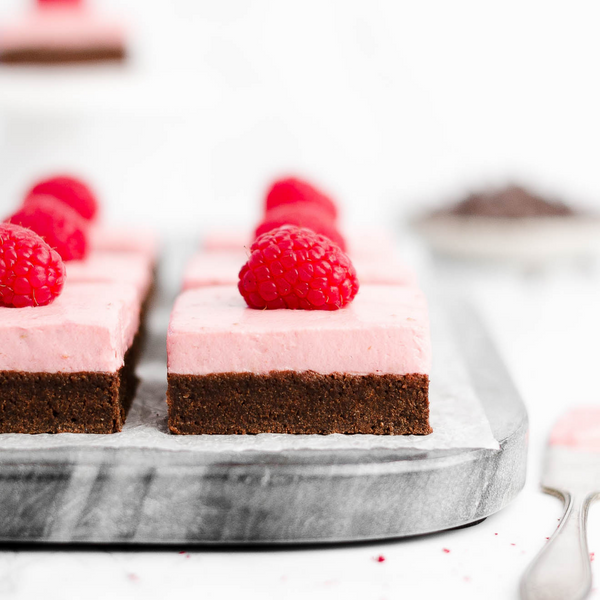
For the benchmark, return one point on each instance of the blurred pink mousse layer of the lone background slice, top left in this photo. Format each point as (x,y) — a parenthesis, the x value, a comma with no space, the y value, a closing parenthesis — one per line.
(60,27)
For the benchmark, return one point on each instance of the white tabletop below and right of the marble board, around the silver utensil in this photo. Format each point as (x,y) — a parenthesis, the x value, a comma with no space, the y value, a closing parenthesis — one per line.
(544,325)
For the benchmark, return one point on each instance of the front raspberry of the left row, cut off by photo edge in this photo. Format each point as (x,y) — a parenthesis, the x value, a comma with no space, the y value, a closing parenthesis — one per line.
(31,273)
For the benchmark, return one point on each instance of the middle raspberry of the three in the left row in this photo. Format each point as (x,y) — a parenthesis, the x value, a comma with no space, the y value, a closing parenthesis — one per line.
(60,226)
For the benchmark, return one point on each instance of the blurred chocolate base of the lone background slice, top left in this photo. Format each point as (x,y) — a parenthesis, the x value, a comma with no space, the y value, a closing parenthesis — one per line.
(61,55)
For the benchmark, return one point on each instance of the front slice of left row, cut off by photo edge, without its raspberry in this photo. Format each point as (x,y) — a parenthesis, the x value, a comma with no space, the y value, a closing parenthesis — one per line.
(68,366)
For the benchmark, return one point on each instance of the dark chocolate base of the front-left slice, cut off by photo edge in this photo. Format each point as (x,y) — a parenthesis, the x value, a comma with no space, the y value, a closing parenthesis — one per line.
(67,402)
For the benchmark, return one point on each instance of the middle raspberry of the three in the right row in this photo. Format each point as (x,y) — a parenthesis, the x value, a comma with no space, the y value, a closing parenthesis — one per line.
(301,215)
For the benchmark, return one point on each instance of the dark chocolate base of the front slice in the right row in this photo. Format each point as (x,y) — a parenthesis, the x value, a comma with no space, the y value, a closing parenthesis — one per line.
(298,403)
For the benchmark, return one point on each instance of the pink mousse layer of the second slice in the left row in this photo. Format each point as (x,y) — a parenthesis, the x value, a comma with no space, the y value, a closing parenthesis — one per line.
(119,267)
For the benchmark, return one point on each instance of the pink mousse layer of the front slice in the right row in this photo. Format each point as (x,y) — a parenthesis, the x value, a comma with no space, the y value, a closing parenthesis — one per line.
(385,330)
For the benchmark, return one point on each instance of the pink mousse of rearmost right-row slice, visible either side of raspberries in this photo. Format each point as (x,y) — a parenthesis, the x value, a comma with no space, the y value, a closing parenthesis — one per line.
(367,244)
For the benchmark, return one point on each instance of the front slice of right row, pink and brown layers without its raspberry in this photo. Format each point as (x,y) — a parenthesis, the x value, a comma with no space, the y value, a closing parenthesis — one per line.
(363,369)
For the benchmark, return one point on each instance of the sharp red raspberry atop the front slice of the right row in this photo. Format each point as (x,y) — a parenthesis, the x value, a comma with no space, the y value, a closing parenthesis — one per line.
(292,267)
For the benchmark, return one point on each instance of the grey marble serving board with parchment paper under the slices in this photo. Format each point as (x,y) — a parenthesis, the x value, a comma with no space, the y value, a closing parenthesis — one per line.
(146,486)
